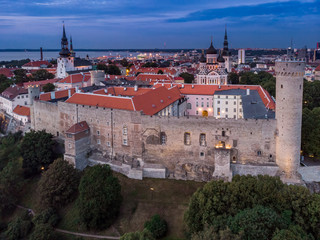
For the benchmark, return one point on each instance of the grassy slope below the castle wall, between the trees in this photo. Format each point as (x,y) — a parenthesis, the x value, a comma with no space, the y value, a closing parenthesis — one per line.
(169,199)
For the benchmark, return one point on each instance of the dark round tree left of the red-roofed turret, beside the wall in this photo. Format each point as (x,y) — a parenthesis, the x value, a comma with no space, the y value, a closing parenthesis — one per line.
(37,150)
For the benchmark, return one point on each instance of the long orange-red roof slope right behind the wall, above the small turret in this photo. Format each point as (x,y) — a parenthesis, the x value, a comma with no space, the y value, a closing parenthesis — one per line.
(102,101)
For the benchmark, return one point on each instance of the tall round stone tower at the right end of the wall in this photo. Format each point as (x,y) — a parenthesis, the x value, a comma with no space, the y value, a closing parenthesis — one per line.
(289,89)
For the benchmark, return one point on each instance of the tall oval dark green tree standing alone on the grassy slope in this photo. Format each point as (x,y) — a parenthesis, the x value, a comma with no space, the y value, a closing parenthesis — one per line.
(99,197)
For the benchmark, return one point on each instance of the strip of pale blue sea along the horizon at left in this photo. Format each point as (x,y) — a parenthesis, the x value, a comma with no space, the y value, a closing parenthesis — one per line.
(8,56)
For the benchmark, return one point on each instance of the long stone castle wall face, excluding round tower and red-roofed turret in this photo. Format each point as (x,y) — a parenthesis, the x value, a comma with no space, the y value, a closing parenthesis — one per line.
(161,140)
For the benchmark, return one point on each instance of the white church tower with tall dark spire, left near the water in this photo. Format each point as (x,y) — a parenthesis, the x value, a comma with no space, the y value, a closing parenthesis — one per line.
(65,62)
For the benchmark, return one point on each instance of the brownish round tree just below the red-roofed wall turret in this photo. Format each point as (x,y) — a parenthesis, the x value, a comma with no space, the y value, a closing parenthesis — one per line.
(59,184)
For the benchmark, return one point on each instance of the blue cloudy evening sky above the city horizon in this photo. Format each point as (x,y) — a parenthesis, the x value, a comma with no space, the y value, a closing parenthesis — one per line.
(125,24)
